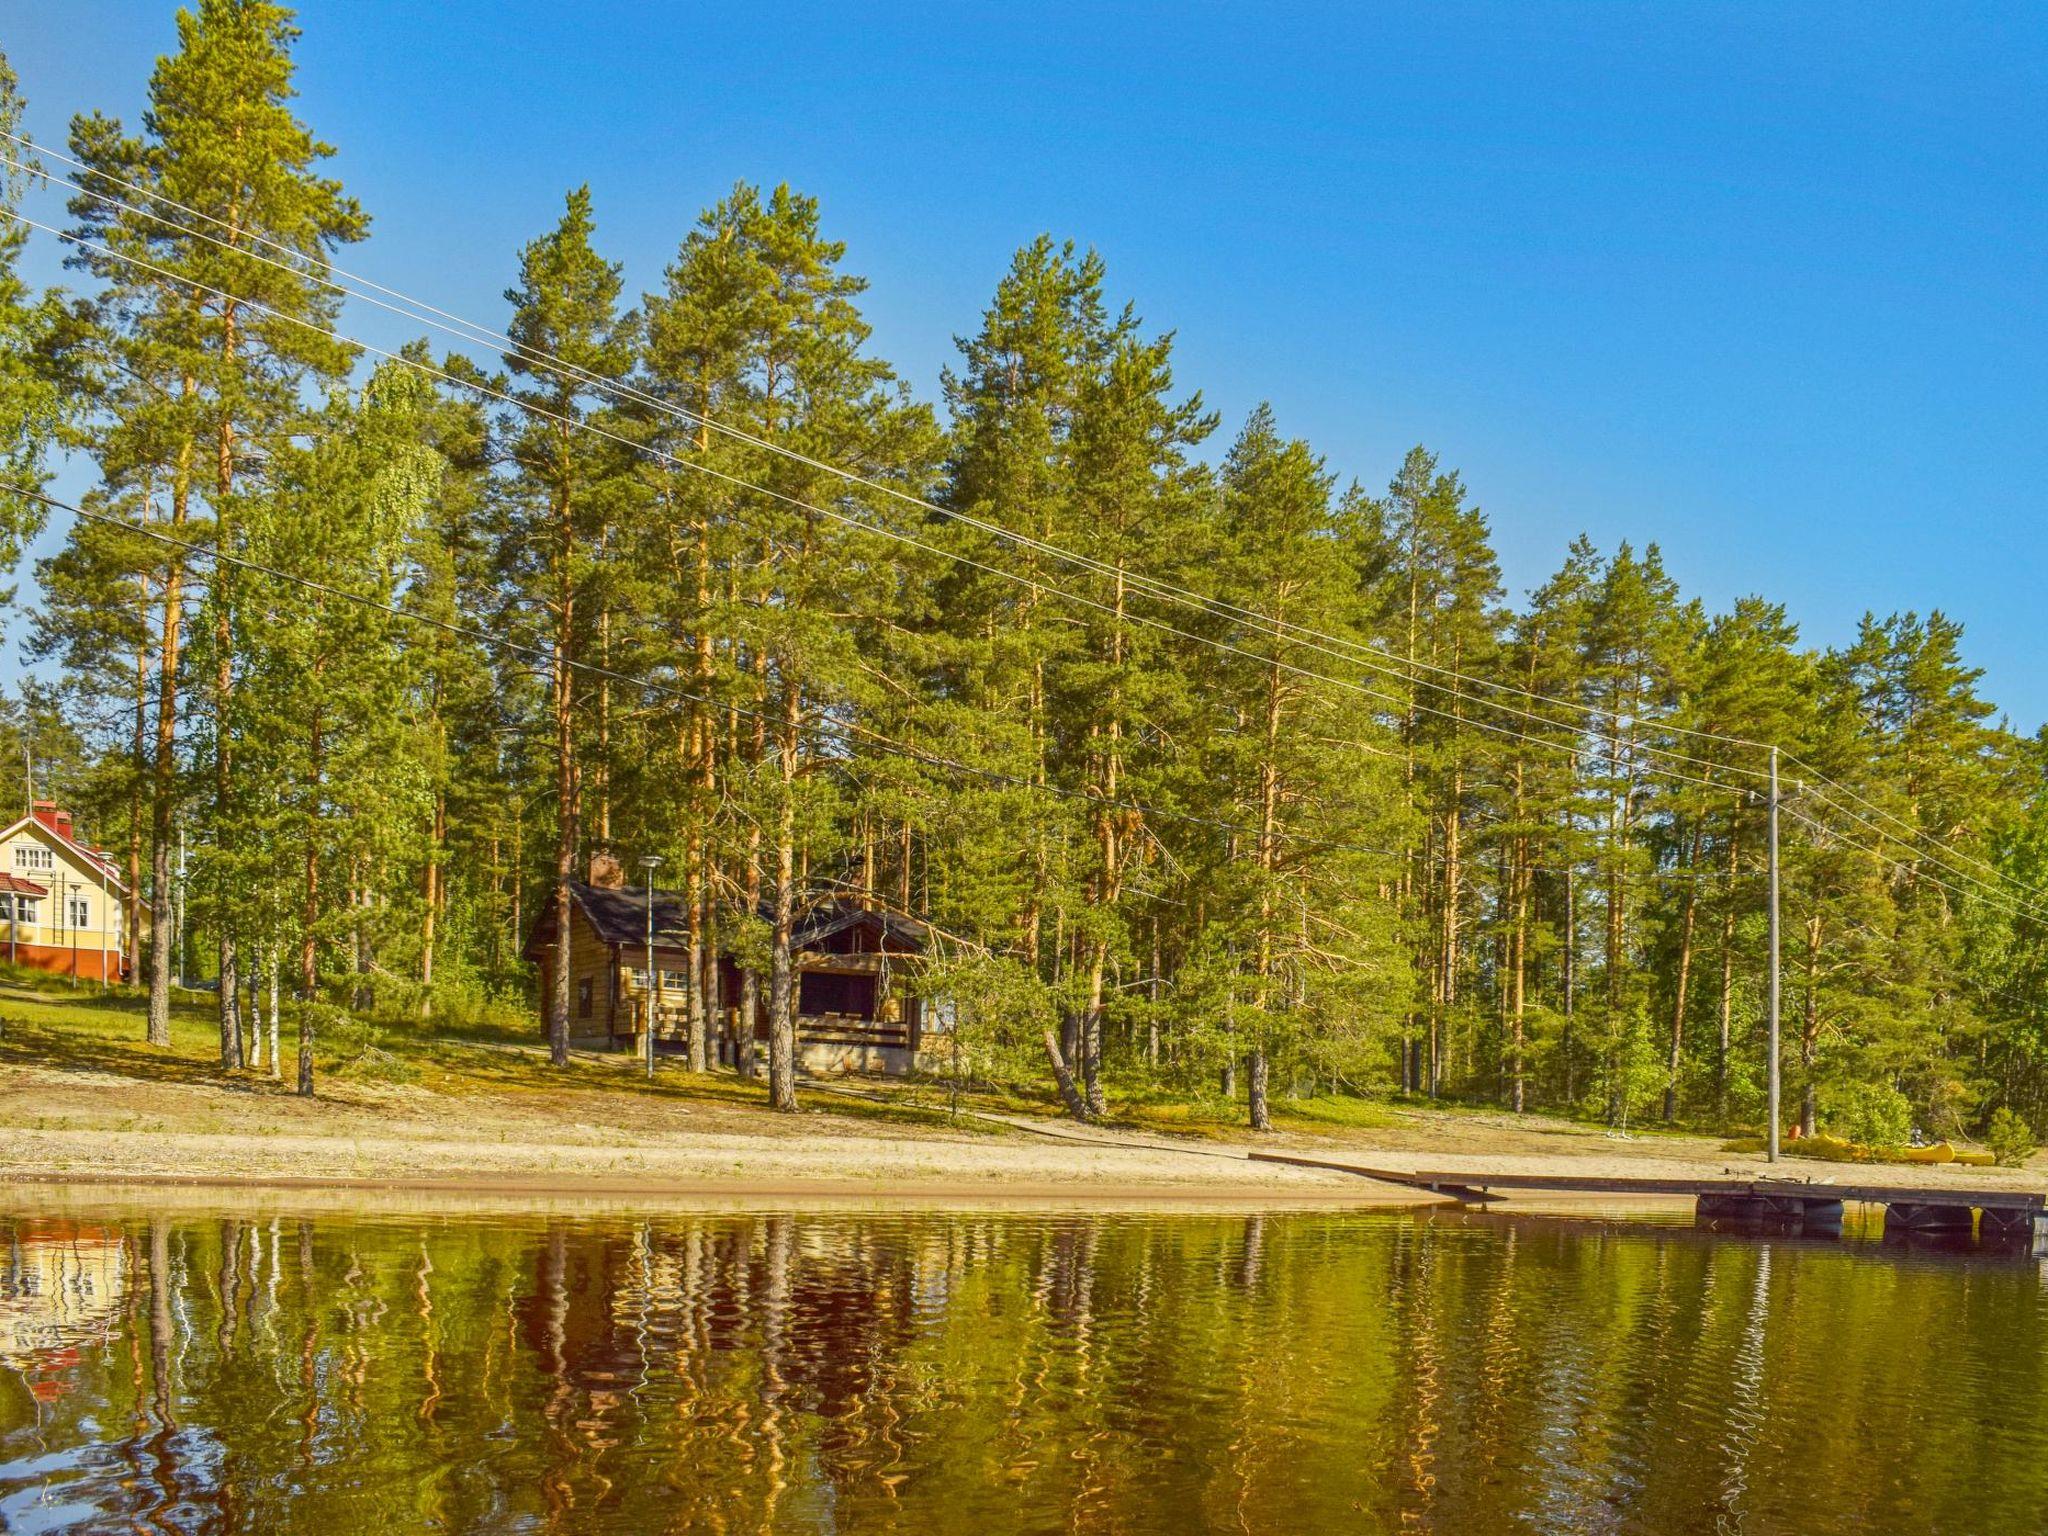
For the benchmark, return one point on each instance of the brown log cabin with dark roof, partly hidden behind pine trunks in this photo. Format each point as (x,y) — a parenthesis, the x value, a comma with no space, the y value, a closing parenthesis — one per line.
(855,972)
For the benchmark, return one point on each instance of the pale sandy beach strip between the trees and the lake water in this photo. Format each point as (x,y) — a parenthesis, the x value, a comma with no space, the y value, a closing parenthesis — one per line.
(95,1125)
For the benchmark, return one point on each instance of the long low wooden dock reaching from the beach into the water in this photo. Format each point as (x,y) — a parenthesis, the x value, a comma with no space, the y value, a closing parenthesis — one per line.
(1768,1201)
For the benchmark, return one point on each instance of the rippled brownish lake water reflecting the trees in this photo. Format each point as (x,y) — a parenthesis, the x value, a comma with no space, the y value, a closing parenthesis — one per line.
(962,1371)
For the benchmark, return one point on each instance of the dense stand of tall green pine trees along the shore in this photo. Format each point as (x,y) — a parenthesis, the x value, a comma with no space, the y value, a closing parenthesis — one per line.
(1220,771)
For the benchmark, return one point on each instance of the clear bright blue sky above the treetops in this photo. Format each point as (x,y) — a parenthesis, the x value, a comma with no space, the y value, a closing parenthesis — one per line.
(1758,284)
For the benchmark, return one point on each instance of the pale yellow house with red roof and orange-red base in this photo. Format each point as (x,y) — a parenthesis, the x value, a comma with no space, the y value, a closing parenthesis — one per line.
(62,902)
